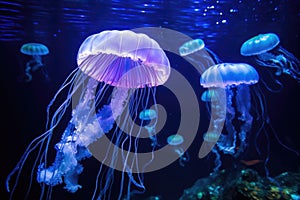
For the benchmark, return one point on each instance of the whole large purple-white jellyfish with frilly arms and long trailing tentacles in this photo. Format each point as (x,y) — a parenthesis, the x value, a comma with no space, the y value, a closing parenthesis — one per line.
(117,75)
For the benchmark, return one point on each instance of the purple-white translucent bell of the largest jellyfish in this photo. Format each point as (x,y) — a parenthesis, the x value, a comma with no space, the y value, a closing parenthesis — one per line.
(145,62)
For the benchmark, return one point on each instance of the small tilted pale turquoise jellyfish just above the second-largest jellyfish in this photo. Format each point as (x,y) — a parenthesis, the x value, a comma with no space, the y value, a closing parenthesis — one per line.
(196,52)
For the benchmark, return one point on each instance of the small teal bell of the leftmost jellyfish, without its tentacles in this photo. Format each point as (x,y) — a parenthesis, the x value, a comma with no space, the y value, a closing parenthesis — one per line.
(33,49)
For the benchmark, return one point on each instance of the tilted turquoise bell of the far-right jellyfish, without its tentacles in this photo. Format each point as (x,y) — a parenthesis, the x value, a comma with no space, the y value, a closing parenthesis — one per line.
(259,44)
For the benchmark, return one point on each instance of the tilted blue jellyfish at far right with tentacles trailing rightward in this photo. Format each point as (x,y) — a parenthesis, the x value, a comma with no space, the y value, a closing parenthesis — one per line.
(268,53)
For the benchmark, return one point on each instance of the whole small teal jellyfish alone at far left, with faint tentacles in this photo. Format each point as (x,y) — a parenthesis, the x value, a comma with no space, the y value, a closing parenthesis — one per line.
(36,50)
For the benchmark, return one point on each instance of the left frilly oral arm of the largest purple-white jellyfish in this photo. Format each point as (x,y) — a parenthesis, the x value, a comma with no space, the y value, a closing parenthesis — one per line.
(83,129)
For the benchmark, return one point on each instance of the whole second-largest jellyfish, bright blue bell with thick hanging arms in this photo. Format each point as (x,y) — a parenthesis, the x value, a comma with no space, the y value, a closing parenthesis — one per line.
(236,78)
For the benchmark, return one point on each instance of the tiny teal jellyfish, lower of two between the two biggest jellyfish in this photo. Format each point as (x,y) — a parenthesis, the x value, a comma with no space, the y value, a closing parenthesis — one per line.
(176,140)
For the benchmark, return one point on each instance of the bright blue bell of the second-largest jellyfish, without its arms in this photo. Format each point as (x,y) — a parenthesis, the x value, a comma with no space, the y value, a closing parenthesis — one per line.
(229,74)
